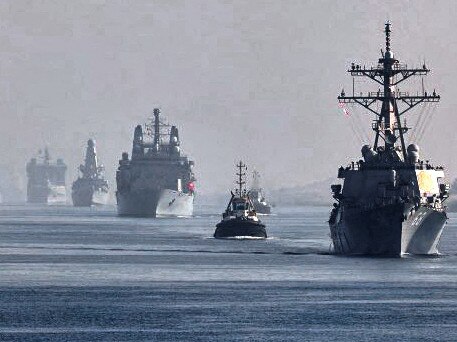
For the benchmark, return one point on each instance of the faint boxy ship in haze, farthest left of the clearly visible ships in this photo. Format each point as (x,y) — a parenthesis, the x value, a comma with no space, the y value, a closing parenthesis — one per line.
(46,180)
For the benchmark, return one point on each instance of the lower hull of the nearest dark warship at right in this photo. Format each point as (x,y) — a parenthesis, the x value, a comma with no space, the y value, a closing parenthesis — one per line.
(391,230)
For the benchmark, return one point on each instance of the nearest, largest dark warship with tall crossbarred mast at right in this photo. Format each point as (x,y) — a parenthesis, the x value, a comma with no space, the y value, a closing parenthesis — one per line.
(391,202)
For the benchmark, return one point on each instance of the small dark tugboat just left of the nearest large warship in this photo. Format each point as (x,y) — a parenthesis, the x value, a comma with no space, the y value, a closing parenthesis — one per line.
(240,218)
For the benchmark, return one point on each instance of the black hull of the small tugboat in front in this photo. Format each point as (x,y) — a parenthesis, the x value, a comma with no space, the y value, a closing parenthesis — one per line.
(236,227)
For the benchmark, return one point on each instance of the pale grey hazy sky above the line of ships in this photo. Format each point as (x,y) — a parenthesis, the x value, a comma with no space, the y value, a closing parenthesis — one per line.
(256,80)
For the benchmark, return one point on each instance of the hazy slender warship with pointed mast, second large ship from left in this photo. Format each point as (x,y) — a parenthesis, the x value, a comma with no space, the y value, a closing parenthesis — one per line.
(91,188)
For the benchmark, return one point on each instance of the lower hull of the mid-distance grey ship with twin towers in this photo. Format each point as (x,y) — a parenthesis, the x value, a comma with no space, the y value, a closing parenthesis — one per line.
(155,203)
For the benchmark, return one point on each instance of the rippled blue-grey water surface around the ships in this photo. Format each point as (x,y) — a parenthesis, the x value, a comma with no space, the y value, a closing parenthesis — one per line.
(68,274)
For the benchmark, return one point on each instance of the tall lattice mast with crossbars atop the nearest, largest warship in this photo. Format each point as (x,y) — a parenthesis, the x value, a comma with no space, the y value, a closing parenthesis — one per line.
(388,74)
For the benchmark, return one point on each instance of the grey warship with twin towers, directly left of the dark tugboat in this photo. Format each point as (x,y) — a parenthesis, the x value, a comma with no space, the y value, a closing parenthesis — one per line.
(158,180)
